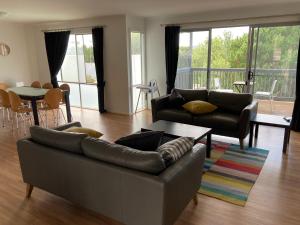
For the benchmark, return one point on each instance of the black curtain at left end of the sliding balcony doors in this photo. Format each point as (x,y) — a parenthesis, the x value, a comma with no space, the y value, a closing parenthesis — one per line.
(171,53)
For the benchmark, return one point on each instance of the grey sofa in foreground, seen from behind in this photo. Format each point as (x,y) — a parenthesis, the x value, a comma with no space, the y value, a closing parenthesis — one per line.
(130,186)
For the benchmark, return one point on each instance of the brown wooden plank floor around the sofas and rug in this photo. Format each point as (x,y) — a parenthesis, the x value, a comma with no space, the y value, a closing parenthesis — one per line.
(274,199)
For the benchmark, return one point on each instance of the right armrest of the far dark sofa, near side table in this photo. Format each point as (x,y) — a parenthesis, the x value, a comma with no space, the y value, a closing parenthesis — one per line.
(248,113)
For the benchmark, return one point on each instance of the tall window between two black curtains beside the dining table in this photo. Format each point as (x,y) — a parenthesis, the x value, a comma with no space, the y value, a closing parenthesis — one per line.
(78,70)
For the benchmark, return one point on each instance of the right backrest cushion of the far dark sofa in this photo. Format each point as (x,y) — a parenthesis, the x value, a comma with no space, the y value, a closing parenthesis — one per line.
(231,102)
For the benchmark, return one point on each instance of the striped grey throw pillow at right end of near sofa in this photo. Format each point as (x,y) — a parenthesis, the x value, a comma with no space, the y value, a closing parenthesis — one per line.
(174,150)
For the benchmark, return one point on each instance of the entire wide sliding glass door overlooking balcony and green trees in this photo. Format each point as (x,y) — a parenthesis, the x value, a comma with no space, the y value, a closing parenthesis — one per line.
(250,59)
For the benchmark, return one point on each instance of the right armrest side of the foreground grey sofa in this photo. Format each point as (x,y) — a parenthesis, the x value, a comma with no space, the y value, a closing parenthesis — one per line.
(181,181)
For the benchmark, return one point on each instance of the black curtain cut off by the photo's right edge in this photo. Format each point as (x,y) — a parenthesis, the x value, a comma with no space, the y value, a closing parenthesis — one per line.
(295,125)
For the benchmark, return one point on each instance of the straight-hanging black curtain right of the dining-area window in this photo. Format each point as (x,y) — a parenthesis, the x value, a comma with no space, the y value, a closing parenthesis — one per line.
(98,57)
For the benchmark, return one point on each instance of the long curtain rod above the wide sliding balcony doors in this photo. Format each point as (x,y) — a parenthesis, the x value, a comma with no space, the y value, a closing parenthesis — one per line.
(229,20)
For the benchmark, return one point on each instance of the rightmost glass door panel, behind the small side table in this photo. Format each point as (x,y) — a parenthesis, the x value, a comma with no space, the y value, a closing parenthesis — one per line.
(274,63)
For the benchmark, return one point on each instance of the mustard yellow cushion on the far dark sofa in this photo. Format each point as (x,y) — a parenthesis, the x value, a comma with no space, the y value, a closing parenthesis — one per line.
(199,107)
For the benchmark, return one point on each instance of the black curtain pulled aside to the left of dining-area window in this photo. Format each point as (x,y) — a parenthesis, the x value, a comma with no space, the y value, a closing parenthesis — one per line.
(56,47)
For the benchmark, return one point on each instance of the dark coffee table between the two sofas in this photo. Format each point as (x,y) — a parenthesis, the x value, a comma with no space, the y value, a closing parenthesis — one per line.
(176,130)
